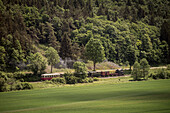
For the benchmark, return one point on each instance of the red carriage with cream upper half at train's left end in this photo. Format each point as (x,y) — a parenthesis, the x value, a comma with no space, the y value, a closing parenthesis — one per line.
(50,76)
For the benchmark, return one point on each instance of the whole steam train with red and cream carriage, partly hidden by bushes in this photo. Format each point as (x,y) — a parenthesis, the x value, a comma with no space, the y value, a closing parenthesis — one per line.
(90,74)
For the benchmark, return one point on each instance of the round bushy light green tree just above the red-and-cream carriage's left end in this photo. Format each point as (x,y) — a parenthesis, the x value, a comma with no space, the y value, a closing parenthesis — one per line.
(37,63)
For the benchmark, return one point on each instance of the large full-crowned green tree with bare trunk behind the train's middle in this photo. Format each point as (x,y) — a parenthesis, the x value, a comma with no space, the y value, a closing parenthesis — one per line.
(94,51)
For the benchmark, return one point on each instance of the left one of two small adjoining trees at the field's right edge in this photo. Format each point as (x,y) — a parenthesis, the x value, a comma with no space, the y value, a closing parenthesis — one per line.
(136,74)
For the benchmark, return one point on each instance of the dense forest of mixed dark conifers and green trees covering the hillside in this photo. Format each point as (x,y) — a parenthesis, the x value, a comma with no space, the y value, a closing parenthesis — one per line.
(128,29)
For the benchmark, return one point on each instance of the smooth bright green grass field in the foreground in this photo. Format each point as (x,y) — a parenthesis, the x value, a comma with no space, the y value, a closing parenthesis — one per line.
(129,97)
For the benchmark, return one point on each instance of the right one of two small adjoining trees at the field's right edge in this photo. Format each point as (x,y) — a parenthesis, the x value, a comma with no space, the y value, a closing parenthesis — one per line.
(145,67)
